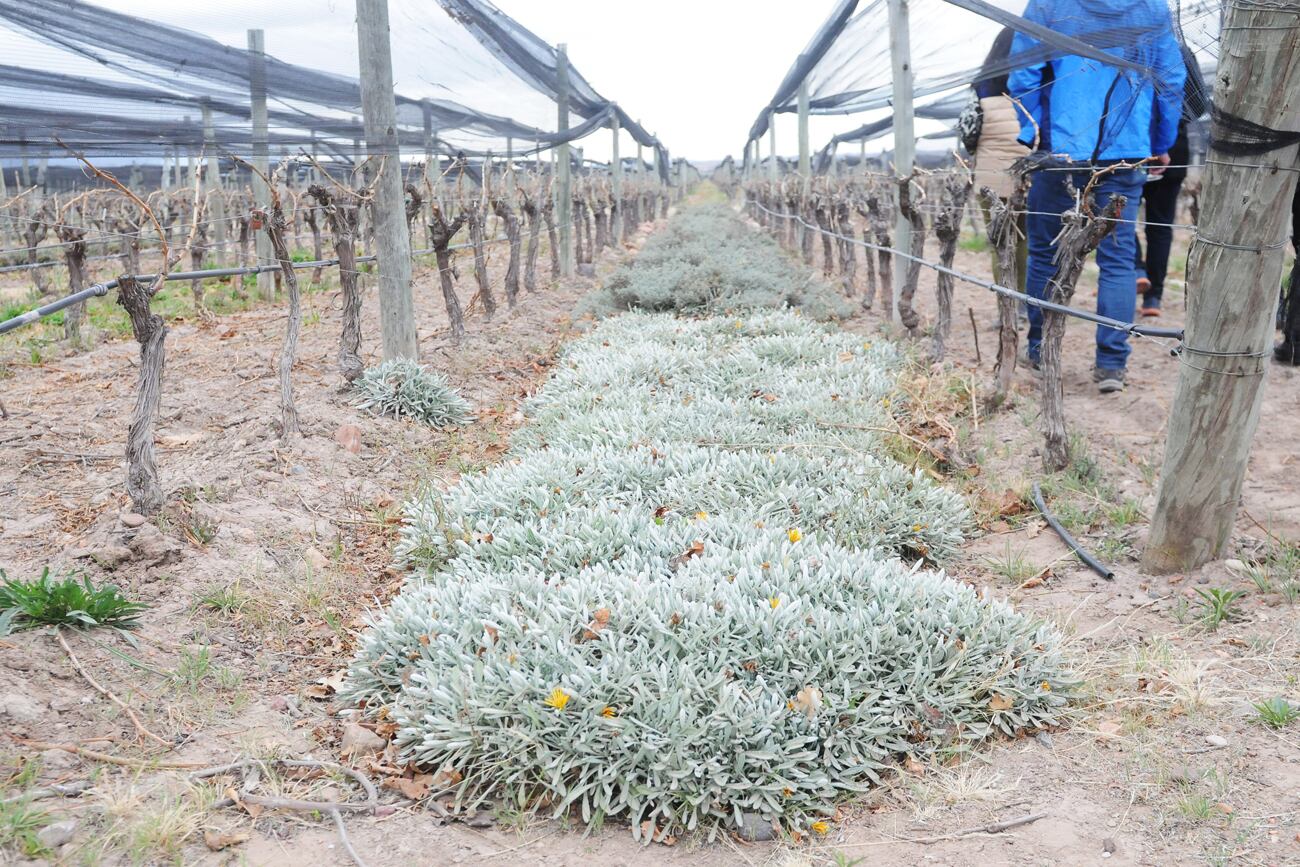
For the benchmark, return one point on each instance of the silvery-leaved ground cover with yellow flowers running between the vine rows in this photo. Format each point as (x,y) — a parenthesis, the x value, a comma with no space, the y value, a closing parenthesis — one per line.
(697,589)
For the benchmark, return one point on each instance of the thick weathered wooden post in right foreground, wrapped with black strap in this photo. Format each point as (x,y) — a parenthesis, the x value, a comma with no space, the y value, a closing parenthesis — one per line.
(1233,291)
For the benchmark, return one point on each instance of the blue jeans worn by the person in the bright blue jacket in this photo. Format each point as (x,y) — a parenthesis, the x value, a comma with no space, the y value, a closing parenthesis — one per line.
(1116,257)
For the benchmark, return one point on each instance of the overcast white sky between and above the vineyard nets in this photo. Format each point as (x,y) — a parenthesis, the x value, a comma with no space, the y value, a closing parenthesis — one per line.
(696,72)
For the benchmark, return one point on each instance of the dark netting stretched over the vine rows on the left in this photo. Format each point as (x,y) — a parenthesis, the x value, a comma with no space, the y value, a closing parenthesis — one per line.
(102,81)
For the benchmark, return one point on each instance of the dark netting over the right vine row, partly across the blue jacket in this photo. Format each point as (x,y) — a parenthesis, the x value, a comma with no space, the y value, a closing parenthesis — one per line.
(847,67)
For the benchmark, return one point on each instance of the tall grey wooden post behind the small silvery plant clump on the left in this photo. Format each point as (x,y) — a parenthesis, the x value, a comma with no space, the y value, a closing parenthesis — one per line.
(393,242)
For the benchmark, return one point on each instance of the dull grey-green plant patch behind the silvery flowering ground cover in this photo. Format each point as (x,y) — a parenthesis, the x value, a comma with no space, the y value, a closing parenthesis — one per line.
(709,261)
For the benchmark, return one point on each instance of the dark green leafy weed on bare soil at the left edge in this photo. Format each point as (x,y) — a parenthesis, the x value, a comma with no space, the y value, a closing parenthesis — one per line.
(66,602)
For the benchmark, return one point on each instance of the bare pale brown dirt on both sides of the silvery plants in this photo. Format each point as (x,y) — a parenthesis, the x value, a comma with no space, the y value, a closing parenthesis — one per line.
(263,567)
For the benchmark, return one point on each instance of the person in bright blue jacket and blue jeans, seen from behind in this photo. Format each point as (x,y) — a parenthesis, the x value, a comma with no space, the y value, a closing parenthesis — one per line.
(1091,115)
